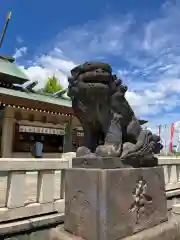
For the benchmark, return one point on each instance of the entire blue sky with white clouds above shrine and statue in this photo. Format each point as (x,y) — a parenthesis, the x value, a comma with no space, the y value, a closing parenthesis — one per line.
(141,39)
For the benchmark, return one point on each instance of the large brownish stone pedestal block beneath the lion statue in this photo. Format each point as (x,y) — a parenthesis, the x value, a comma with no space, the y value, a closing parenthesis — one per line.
(109,204)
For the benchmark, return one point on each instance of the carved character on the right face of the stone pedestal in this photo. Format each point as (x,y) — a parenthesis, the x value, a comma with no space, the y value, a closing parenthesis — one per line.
(141,198)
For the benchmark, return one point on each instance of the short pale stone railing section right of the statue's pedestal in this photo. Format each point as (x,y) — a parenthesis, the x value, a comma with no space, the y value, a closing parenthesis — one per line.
(171,167)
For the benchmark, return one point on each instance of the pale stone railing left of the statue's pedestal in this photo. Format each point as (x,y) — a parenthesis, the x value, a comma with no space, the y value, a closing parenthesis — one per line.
(31,187)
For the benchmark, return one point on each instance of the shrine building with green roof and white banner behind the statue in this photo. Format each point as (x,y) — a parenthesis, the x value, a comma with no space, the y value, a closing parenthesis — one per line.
(27,116)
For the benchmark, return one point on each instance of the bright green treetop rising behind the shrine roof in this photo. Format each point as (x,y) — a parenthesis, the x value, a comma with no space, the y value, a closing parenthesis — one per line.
(52,85)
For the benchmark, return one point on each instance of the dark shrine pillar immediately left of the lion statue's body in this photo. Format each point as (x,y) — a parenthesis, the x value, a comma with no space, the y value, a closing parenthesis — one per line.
(68,137)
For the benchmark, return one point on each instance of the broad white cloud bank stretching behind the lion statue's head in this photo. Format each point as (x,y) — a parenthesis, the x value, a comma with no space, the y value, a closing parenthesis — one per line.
(147,59)
